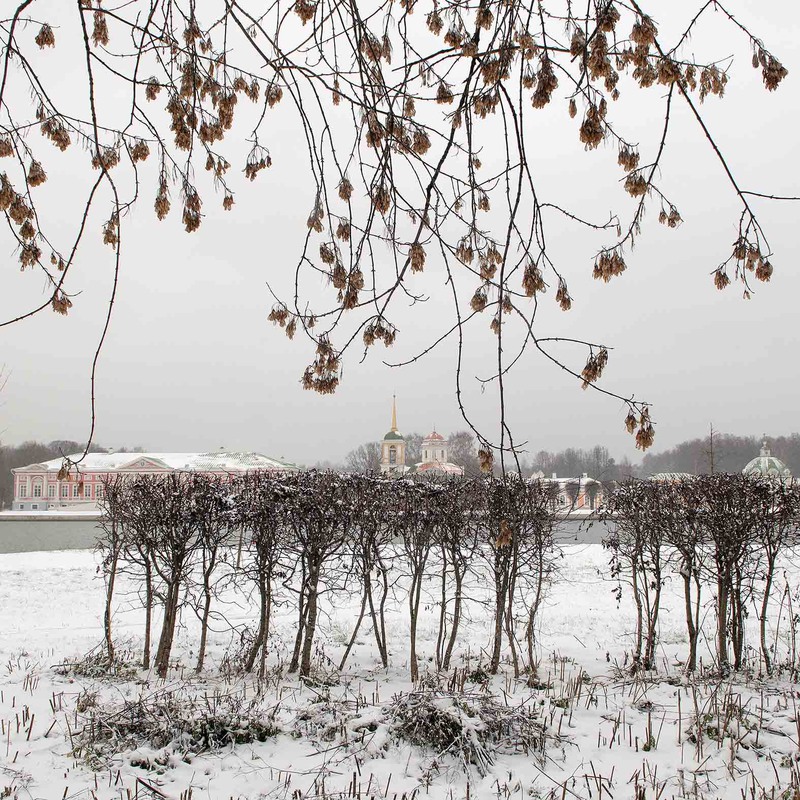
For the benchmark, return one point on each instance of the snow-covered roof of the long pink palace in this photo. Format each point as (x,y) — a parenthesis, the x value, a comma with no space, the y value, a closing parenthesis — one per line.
(189,462)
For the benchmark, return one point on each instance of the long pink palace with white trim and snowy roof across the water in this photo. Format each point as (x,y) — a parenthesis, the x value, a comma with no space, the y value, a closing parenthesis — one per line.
(37,487)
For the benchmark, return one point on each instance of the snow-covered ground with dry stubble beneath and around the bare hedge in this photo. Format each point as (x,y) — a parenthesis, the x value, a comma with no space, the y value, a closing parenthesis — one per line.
(608,734)
